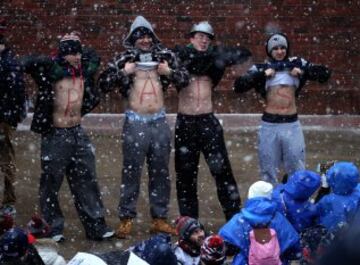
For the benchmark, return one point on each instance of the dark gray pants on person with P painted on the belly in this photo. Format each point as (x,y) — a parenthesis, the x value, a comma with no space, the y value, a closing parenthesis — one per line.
(69,152)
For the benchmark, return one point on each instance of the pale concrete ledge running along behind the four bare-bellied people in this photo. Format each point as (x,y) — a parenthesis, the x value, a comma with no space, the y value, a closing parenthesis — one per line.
(231,122)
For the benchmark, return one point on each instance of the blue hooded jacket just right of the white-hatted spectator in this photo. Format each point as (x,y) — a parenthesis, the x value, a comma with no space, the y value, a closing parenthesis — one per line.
(292,199)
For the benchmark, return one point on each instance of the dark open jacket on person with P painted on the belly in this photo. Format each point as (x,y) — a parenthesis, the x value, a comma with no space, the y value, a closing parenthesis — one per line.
(47,71)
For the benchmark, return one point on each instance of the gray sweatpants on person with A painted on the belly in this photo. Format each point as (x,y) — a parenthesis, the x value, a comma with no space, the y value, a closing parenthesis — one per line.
(150,139)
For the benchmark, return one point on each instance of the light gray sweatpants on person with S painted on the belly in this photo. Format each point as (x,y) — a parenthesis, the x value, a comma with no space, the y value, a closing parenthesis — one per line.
(280,144)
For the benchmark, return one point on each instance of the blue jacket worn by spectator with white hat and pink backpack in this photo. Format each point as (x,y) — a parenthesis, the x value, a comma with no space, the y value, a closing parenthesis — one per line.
(259,212)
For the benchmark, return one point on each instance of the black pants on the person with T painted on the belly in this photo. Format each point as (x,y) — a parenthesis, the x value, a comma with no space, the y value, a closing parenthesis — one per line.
(195,134)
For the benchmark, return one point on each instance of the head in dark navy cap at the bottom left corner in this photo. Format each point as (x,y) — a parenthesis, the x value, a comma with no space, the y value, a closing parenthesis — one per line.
(13,244)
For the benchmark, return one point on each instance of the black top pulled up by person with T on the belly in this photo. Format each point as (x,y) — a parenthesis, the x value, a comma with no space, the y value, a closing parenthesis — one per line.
(212,62)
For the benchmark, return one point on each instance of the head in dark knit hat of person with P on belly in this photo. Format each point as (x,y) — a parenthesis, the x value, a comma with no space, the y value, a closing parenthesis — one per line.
(70,48)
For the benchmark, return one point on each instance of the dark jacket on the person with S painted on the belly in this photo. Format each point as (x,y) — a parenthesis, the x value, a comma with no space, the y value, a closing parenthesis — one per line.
(255,77)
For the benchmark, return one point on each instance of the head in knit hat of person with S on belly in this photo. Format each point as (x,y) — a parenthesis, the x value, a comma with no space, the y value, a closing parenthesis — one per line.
(277,47)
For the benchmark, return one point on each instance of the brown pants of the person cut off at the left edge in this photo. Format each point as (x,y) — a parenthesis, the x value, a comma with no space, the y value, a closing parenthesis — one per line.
(7,164)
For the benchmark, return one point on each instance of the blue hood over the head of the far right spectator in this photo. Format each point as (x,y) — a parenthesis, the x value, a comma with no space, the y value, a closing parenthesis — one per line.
(343,177)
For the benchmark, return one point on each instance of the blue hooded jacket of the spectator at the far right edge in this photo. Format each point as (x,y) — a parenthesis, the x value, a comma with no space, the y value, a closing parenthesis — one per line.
(340,206)
